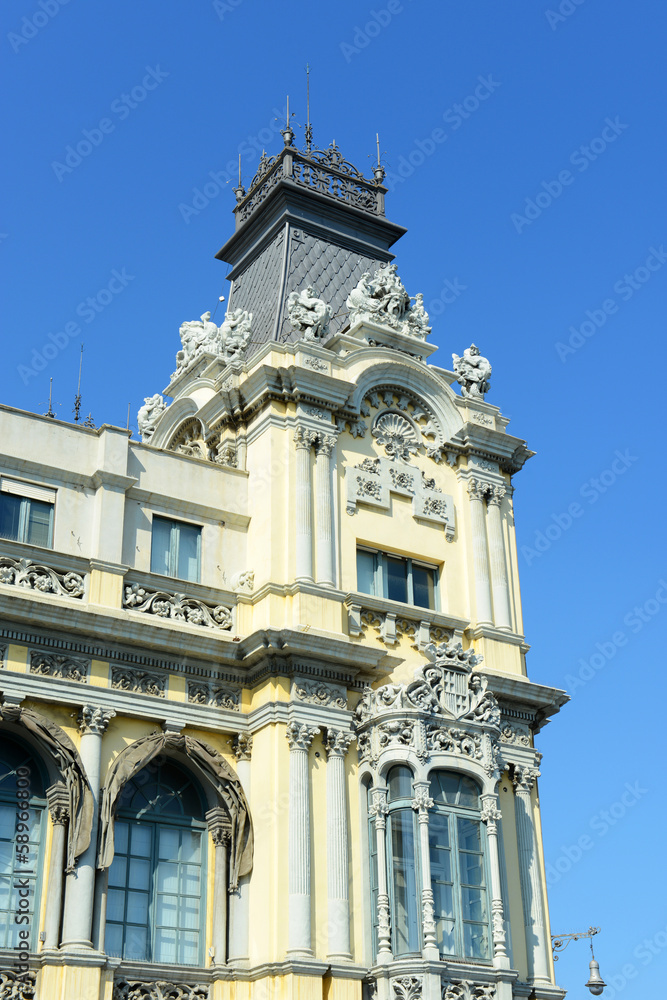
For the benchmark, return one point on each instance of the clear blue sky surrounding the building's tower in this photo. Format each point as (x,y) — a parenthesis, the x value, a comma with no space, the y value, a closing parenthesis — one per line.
(524,144)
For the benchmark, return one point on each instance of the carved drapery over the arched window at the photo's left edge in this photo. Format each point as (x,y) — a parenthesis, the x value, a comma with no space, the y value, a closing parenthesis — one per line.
(68,762)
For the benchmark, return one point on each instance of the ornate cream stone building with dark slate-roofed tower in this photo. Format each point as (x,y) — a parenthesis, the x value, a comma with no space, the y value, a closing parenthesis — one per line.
(265,723)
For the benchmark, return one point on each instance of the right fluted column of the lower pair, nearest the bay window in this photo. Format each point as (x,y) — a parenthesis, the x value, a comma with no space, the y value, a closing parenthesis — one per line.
(337,745)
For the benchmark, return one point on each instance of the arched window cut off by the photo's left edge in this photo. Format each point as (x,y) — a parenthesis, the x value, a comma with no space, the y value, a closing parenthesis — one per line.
(22,818)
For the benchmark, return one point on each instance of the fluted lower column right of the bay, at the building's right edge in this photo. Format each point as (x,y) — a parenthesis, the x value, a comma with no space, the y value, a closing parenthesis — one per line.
(531,883)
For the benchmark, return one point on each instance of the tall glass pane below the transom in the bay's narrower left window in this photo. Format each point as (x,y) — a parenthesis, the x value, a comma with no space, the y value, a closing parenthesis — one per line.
(405,916)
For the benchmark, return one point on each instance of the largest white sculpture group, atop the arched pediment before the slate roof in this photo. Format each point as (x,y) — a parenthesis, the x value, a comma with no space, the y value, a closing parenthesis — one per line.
(383,299)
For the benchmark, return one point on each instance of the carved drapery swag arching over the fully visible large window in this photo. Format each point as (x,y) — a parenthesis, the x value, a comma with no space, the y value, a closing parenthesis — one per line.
(210,765)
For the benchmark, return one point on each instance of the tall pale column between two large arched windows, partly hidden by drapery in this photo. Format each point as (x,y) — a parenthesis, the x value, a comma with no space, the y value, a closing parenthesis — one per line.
(80,884)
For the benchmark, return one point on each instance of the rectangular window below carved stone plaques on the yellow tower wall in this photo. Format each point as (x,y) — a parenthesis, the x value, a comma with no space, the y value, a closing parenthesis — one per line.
(397,579)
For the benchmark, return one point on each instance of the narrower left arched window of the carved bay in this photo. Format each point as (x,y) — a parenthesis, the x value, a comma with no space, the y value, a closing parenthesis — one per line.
(401,855)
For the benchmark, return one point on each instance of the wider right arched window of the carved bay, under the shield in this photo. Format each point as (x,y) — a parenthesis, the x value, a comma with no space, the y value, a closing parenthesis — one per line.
(458,869)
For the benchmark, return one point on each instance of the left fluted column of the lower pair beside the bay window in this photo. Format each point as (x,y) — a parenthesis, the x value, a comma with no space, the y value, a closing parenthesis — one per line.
(299,736)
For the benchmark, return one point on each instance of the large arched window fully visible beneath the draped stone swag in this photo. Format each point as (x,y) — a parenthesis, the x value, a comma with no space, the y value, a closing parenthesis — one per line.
(155,906)
